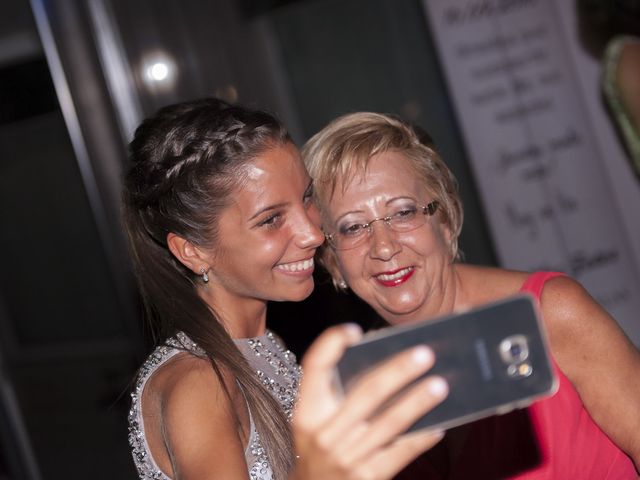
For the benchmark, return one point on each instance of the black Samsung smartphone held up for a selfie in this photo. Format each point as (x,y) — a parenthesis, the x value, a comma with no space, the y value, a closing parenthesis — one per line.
(495,358)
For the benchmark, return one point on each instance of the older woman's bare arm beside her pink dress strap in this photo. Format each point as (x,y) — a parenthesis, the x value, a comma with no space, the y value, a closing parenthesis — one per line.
(599,360)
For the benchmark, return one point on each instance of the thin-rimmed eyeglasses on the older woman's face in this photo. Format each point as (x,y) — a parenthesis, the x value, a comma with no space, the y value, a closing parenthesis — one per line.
(404,219)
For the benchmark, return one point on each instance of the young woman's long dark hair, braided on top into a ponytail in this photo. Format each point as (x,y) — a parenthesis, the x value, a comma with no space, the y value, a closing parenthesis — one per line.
(186,162)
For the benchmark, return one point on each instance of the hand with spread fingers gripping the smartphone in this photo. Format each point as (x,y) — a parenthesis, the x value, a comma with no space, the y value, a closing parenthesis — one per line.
(341,438)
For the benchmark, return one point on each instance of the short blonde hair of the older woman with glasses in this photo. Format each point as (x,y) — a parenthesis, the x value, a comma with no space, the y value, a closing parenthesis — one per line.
(345,146)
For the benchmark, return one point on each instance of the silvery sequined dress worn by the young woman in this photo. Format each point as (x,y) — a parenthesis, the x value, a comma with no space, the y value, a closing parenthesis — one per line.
(276,368)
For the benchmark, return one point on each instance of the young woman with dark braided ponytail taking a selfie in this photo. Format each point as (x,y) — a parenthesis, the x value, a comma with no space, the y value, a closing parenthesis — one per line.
(219,214)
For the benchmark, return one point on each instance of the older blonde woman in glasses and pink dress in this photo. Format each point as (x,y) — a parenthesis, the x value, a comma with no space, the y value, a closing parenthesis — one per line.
(392,216)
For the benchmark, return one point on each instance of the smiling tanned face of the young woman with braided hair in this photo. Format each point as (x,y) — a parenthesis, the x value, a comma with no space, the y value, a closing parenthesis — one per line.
(266,237)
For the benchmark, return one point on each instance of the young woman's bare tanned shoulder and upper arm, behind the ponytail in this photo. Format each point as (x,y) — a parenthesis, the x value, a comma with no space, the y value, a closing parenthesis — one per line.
(199,427)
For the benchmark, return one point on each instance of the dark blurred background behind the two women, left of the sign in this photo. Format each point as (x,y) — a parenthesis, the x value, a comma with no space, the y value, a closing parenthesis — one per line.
(76,77)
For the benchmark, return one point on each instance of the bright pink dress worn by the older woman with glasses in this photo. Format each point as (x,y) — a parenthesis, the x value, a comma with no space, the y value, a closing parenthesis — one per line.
(553,439)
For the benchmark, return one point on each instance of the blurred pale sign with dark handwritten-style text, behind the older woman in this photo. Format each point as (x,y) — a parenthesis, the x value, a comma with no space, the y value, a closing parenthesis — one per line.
(542,181)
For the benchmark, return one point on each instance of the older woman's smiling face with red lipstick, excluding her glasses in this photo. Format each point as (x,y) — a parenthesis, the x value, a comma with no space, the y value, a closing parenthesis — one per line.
(396,273)
